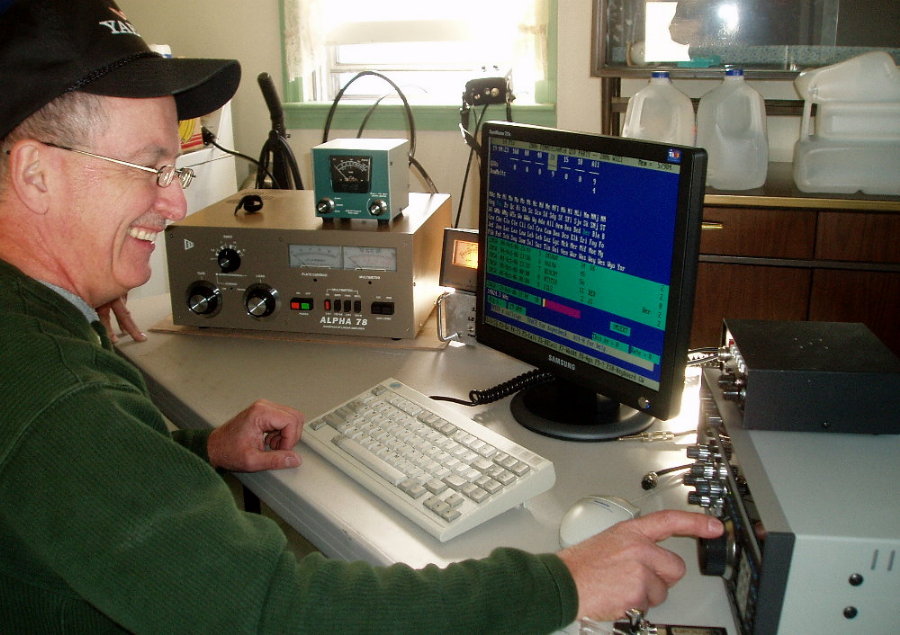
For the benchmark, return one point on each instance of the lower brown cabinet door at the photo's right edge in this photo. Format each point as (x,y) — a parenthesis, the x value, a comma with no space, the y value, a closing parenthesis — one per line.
(870,297)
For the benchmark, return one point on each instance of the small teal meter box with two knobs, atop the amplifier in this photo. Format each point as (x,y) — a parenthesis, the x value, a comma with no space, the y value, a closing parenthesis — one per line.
(361,178)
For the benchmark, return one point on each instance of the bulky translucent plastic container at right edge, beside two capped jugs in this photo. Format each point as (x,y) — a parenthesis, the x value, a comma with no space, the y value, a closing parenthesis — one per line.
(855,145)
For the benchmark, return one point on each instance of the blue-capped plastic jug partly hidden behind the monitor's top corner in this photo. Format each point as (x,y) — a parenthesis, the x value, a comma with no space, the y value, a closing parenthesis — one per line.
(660,112)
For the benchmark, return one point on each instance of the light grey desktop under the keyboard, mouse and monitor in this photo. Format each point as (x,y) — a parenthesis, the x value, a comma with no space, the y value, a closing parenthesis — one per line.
(201,381)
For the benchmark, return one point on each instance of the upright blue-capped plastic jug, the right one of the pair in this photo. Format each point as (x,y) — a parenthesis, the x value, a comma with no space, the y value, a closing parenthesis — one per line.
(731,125)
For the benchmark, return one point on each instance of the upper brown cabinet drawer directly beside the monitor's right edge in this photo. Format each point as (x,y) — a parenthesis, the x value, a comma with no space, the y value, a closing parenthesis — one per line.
(765,233)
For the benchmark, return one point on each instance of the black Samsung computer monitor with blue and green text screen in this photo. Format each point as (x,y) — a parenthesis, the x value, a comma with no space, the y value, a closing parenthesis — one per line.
(587,266)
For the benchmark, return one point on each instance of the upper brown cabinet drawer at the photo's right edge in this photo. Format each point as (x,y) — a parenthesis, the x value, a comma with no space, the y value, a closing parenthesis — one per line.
(866,237)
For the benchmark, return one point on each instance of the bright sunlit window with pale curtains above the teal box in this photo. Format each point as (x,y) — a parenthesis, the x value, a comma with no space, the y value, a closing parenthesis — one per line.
(429,48)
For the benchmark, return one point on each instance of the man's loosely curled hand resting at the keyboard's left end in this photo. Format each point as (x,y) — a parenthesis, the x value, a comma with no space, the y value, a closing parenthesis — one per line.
(261,437)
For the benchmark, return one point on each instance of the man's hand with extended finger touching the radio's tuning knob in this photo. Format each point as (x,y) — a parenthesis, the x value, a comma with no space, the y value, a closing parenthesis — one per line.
(623,567)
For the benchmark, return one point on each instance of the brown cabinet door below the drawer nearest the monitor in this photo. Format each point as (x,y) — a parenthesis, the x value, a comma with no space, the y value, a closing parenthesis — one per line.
(746,292)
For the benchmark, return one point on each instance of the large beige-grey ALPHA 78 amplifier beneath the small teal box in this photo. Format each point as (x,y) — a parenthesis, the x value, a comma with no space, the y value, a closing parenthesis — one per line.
(284,269)
